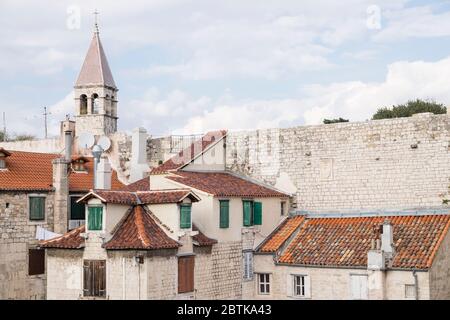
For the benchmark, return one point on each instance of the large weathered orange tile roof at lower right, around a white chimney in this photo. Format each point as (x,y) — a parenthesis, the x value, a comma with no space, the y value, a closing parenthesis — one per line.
(345,242)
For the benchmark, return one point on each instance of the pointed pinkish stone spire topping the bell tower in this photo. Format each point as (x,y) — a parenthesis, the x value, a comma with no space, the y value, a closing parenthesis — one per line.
(95,70)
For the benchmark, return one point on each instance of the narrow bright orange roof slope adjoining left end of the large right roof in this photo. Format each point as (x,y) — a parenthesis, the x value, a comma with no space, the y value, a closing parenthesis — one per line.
(275,240)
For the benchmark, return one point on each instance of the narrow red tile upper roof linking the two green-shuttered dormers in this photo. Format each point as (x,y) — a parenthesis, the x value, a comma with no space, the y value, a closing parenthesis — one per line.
(141,197)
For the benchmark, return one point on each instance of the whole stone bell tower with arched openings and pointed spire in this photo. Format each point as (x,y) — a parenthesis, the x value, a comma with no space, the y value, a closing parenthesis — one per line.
(95,92)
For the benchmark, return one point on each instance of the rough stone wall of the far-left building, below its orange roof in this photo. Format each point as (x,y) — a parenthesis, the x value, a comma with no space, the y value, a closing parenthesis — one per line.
(17,235)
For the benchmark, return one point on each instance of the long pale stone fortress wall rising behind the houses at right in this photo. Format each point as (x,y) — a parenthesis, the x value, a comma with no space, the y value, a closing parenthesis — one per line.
(384,164)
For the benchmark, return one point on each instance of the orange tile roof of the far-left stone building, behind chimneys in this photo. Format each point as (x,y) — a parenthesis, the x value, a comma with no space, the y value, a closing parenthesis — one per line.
(32,171)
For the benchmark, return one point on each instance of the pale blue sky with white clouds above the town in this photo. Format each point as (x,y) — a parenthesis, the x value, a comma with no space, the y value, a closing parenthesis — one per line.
(186,67)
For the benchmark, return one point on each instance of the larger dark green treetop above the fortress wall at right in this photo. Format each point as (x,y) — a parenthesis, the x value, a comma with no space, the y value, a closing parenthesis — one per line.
(408,109)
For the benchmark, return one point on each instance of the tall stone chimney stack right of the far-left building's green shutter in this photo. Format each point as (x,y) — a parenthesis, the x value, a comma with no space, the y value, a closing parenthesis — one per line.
(61,187)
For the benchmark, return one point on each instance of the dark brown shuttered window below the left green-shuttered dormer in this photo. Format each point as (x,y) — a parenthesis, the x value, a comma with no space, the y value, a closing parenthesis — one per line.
(94,278)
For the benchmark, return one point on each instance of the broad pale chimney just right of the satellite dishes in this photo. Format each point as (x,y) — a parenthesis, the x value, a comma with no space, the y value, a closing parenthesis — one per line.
(139,164)
